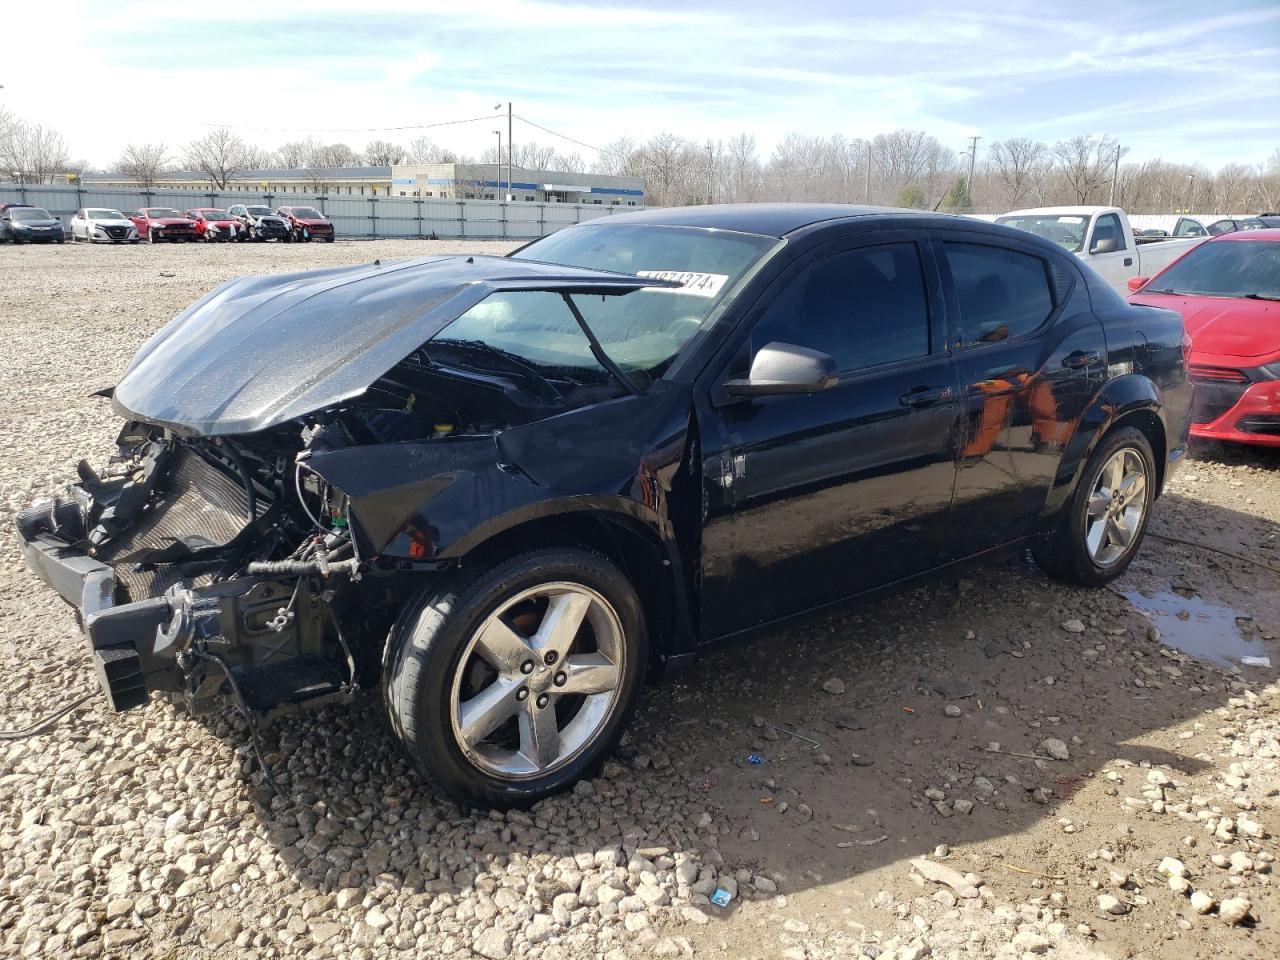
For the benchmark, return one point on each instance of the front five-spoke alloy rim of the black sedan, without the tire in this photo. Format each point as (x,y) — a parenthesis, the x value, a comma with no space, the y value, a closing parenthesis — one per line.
(538,682)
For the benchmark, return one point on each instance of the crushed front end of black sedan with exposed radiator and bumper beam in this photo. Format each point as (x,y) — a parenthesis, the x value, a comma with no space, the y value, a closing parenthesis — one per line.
(204,564)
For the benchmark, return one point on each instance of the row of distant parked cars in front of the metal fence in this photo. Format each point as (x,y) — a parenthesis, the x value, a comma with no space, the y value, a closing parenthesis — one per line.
(24,223)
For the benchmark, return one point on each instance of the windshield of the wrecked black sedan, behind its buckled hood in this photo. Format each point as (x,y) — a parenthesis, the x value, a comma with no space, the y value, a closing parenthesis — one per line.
(641,331)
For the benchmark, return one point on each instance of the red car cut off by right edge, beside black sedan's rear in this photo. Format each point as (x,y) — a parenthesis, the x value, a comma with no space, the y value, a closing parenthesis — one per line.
(1228,291)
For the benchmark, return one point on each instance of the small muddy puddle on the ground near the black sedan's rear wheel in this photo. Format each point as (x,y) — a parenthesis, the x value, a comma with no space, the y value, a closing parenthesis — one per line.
(1204,629)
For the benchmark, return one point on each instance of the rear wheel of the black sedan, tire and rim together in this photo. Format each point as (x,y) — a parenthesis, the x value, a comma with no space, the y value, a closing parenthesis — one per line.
(1094,547)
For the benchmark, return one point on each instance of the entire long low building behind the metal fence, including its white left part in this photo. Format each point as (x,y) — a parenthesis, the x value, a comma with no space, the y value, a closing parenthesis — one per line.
(447,181)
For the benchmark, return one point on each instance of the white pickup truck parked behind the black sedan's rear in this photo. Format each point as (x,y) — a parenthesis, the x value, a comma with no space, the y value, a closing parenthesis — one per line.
(1103,239)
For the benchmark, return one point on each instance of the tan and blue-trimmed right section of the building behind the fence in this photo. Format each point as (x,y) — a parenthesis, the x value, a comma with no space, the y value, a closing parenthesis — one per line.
(490,182)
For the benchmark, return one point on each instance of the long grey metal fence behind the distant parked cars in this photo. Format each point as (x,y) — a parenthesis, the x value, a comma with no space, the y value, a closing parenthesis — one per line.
(371,218)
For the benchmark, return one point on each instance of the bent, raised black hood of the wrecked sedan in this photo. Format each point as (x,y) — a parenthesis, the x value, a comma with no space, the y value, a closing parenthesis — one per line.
(260,351)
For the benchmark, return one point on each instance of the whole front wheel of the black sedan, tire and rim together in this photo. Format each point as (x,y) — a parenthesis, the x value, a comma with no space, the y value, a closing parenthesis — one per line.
(435,666)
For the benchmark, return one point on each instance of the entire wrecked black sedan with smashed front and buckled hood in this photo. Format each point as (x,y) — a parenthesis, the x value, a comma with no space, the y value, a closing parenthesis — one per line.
(506,491)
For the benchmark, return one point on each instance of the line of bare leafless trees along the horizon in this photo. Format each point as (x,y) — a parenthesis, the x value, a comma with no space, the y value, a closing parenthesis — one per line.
(903,168)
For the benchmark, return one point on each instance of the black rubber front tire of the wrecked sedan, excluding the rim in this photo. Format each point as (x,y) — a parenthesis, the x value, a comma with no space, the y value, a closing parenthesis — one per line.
(426,648)
